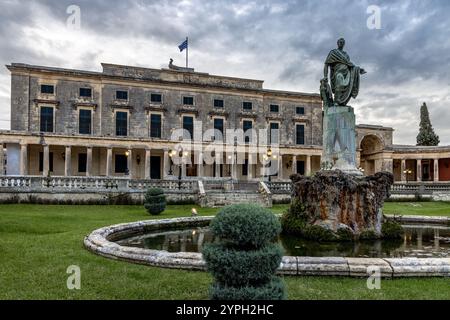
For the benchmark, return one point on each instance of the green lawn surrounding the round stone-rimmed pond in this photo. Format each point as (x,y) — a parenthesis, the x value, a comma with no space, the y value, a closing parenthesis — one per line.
(38,243)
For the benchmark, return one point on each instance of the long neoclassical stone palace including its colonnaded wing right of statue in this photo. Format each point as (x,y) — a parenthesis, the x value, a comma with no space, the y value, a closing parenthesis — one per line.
(120,123)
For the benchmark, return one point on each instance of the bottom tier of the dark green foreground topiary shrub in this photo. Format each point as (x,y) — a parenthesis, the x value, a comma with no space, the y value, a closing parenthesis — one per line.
(274,290)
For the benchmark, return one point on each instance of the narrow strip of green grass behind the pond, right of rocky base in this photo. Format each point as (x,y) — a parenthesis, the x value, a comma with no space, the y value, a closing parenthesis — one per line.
(418,208)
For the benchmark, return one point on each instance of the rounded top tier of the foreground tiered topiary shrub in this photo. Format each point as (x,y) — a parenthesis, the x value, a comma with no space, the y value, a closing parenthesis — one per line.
(246,225)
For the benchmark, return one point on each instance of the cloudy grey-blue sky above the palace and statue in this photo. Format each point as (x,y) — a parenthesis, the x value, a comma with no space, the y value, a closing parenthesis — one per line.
(281,42)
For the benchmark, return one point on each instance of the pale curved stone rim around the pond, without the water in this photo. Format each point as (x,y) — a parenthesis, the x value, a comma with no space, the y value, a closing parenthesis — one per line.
(101,242)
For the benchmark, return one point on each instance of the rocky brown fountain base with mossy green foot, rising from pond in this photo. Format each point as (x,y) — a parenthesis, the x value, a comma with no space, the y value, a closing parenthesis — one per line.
(333,205)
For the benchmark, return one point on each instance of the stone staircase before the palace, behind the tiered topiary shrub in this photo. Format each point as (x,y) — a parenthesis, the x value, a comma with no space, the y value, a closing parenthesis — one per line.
(220,194)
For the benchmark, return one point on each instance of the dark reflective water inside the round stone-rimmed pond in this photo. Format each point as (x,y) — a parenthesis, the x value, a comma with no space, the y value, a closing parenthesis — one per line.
(421,241)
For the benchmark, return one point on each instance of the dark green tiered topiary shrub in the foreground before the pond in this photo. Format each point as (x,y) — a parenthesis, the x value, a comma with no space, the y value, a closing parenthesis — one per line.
(245,261)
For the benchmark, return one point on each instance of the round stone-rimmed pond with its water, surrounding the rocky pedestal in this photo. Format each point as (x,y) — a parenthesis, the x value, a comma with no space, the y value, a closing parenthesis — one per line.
(177,243)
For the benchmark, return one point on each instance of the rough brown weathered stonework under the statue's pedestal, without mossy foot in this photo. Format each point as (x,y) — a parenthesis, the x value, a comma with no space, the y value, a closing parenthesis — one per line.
(335,200)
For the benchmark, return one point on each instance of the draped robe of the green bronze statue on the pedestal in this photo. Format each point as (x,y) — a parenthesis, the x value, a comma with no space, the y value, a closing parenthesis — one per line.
(344,77)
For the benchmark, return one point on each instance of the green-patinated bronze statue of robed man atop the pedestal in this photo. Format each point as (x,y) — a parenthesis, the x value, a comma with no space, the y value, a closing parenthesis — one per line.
(344,77)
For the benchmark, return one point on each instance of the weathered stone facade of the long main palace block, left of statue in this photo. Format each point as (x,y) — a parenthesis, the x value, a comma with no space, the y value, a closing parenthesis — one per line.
(57,152)
